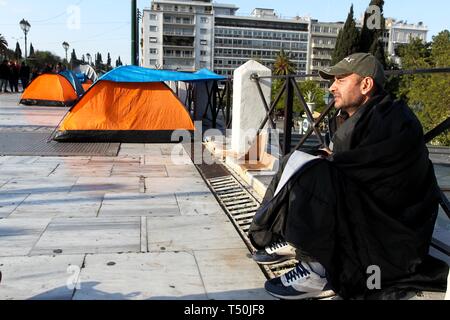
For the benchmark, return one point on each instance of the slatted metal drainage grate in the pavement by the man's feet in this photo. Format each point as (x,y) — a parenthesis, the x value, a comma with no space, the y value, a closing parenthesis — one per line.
(240,205)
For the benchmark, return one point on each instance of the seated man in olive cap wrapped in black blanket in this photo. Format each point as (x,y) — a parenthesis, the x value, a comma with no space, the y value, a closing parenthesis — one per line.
(370,204)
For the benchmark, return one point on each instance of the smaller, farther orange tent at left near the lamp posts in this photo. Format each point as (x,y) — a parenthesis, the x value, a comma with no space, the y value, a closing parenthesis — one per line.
(49,90)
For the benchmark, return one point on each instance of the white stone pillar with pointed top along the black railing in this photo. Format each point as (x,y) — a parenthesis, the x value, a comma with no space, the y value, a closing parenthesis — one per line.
(248,108)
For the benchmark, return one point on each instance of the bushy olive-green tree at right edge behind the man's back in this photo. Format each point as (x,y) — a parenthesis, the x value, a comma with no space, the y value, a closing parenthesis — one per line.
(428,95)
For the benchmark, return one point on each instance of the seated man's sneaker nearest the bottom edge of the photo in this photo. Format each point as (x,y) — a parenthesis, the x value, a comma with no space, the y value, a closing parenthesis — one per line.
(299,283)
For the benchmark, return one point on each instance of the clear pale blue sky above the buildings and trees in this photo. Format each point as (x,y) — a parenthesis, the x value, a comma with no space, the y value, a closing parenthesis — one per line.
(105,24)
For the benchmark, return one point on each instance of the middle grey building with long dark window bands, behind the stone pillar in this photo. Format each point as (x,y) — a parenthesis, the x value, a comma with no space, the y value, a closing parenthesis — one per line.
(260,36)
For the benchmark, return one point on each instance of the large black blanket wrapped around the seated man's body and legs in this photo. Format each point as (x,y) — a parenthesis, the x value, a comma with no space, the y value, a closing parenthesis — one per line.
(373,203)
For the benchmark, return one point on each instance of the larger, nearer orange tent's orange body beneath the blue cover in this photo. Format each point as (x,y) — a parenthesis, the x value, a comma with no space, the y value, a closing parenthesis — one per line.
(125,112)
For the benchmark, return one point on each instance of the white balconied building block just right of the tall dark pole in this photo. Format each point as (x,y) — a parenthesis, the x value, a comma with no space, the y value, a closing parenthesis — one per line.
(178,35)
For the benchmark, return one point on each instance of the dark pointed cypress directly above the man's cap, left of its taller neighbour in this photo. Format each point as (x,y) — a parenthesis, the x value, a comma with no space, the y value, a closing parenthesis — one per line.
(348,39)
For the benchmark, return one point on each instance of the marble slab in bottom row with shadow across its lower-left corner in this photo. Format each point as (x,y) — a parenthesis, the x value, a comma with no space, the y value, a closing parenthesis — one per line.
(157,276)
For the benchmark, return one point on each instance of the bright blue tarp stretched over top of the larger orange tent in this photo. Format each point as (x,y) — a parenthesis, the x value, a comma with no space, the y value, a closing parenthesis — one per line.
(140,74)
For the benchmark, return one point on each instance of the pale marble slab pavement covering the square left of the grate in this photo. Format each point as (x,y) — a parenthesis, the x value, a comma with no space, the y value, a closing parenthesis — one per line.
(134,226)
